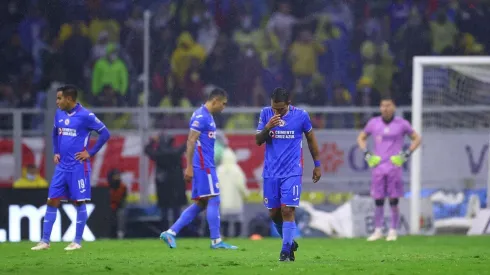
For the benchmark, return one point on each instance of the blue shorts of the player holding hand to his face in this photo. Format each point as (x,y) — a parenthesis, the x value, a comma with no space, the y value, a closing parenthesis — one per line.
(282,191)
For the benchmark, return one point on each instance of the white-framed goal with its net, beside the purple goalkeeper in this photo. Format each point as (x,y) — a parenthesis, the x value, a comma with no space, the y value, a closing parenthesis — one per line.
(451,110)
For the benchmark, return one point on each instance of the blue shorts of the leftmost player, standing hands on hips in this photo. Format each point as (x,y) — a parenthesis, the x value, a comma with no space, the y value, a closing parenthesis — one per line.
(70,185)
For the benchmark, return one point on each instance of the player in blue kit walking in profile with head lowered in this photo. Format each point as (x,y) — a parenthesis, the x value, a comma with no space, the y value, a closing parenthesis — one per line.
(201,170)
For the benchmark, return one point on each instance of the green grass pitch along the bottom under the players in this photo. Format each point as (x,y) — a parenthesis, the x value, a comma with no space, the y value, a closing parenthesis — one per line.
(409,255)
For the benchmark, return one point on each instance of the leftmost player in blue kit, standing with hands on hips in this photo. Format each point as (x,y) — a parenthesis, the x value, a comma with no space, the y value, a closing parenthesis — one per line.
(71,180)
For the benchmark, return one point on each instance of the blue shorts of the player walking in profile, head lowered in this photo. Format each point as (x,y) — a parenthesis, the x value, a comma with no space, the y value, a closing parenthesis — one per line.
(204,183)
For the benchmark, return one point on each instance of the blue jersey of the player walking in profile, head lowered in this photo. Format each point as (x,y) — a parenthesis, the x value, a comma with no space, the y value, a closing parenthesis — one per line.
(203,122)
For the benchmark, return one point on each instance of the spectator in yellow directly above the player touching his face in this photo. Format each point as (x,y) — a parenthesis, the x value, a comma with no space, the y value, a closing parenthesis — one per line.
(304,53)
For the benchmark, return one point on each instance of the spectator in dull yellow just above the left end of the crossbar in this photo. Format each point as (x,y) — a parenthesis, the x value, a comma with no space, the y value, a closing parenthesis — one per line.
(443,33)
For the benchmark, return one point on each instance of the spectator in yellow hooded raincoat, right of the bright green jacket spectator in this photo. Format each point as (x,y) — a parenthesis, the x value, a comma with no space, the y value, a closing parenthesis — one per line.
(181,58)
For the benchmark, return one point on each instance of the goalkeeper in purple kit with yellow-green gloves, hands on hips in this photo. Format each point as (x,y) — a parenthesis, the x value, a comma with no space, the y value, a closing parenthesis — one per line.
(386,161)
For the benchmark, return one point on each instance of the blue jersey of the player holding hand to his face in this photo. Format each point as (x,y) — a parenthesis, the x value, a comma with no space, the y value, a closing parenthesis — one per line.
(283,153)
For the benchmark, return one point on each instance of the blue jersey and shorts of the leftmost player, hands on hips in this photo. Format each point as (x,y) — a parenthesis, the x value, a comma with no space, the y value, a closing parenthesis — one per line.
(71,134)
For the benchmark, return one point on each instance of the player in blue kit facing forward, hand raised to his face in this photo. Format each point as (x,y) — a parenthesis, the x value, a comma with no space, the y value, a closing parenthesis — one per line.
(281,128)
